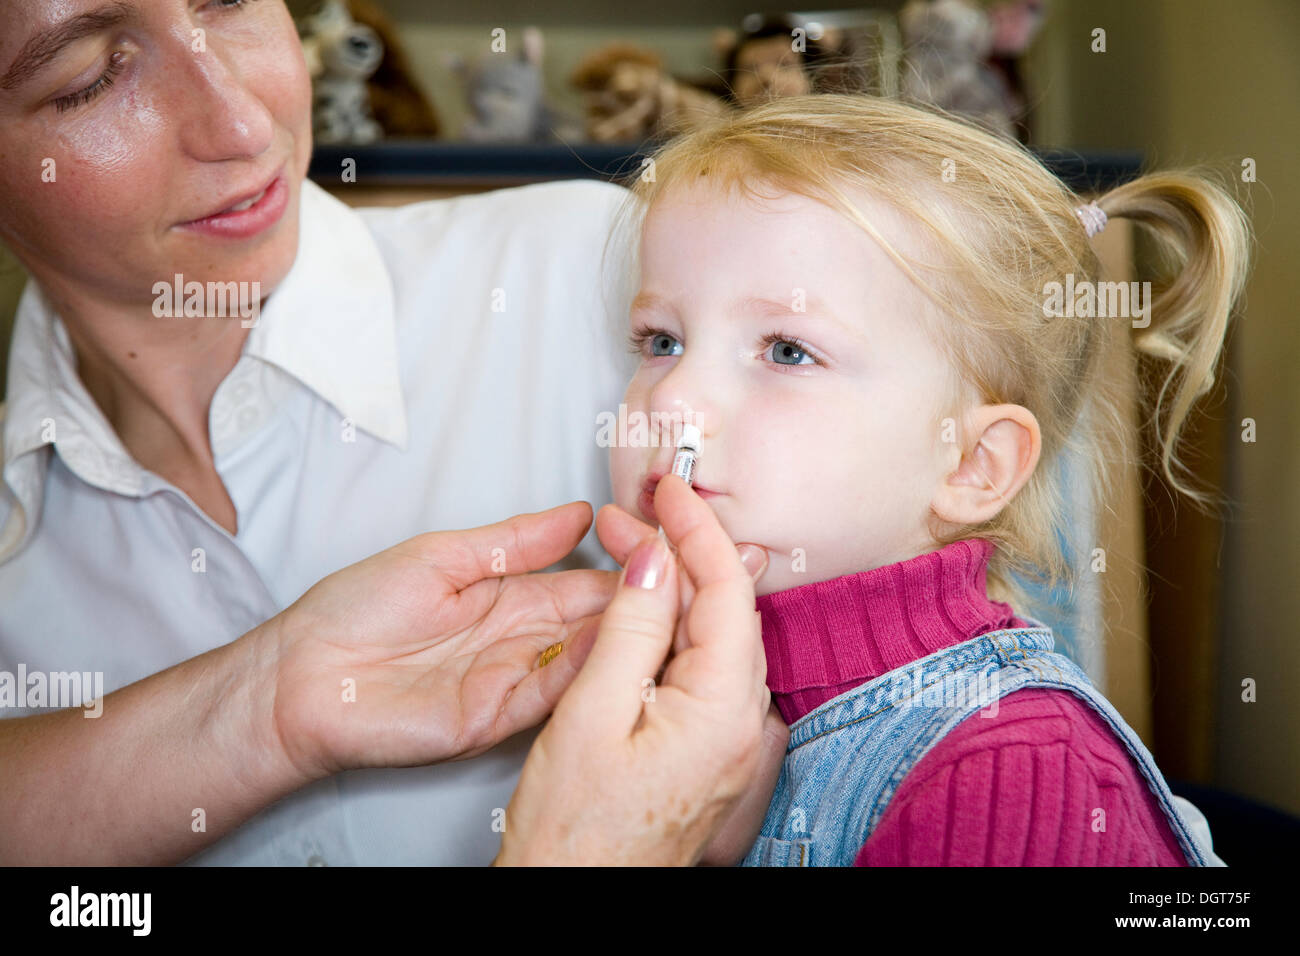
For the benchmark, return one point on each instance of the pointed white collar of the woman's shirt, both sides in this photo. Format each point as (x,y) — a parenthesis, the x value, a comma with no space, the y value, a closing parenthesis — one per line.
(331,325)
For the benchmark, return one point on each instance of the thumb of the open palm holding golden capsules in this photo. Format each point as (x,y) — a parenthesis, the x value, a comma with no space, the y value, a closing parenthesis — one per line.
(517,546)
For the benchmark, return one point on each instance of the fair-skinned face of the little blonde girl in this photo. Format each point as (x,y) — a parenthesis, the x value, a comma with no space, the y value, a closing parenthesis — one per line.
(783,332)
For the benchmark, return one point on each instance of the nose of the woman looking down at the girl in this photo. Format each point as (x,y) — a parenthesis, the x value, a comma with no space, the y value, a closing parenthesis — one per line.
(223,118)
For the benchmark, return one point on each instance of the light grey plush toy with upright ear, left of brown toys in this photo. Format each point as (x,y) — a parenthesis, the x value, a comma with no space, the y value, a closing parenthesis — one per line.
(508,97)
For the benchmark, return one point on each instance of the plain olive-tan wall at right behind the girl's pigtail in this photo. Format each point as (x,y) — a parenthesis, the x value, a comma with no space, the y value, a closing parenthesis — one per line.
(1199,81)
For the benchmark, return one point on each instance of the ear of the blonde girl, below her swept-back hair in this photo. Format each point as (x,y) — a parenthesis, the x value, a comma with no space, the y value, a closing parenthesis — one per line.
(1007,445)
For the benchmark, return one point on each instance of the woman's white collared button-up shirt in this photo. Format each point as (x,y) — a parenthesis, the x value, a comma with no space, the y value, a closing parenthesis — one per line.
(382,395)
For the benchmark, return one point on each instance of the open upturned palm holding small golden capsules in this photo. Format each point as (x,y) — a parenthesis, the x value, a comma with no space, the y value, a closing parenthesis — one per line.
(428,651)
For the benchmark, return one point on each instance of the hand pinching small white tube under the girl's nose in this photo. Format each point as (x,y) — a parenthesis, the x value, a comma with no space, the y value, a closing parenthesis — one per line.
(635,772)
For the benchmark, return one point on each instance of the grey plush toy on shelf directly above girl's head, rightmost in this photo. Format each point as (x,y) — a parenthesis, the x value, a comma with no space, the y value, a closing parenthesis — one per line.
(948,45)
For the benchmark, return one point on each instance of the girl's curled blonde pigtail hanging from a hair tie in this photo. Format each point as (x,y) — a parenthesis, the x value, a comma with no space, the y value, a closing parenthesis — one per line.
(1206,237)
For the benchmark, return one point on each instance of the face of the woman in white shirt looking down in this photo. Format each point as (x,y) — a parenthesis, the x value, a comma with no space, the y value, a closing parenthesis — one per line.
(129,127)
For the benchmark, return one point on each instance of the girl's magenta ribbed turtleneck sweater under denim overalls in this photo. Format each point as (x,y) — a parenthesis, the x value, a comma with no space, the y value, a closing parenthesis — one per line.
(1017,789)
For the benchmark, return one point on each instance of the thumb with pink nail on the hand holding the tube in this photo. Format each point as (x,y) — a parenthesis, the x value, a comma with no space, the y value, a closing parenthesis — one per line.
(636,633)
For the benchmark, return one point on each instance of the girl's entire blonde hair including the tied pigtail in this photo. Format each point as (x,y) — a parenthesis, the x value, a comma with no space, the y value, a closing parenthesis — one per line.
(998,230)
